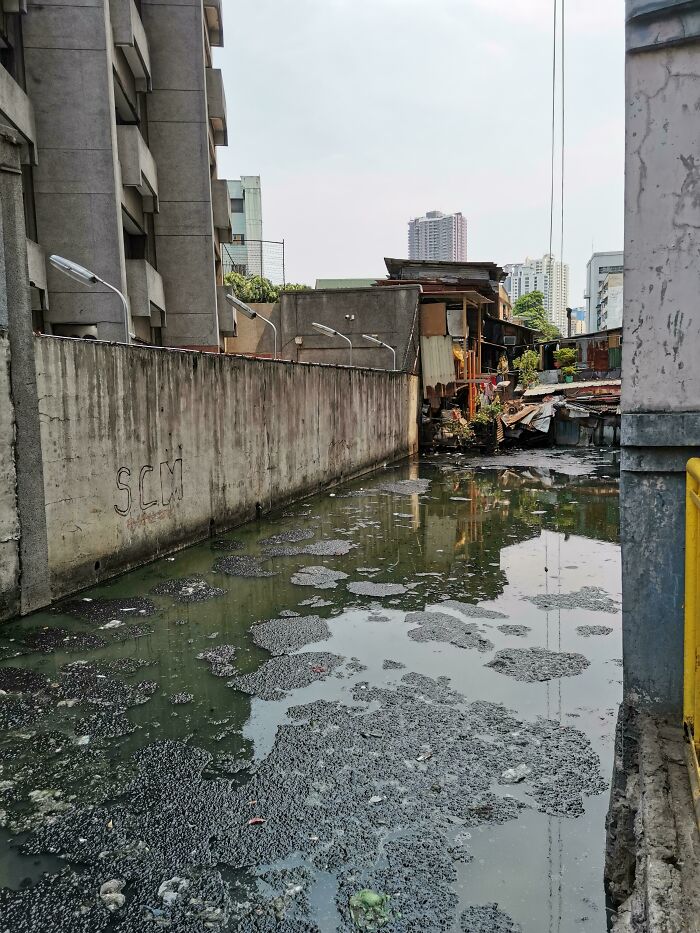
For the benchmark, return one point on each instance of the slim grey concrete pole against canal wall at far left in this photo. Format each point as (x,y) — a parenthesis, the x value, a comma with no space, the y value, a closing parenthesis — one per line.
(16,320)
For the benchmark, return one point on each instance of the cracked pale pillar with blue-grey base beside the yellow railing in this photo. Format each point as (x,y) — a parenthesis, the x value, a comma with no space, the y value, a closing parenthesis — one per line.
(661,374)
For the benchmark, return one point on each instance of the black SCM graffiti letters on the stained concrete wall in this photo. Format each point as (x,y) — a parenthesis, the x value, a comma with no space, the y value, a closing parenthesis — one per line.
(150,488)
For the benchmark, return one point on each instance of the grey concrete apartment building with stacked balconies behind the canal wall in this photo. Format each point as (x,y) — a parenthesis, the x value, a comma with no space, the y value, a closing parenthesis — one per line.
(121,112)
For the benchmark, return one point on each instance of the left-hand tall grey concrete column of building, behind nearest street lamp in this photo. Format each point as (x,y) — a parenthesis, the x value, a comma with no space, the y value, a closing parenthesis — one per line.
(77,182)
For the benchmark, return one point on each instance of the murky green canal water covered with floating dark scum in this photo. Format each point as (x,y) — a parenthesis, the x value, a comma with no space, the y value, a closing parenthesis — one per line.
(390,707)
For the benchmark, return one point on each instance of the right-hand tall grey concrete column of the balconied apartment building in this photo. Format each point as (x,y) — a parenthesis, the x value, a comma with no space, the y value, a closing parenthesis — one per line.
(179,139)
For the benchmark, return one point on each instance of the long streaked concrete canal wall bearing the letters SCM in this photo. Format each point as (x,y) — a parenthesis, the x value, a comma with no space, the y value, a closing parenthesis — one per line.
(146,450)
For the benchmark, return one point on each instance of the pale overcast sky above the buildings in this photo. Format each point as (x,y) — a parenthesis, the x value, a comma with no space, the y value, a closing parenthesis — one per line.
(359,114)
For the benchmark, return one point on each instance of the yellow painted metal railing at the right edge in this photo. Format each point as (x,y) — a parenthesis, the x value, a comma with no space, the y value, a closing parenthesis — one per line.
(691,681)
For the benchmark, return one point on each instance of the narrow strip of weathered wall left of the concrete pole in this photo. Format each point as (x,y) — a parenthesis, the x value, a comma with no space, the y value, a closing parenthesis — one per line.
(9,516)
